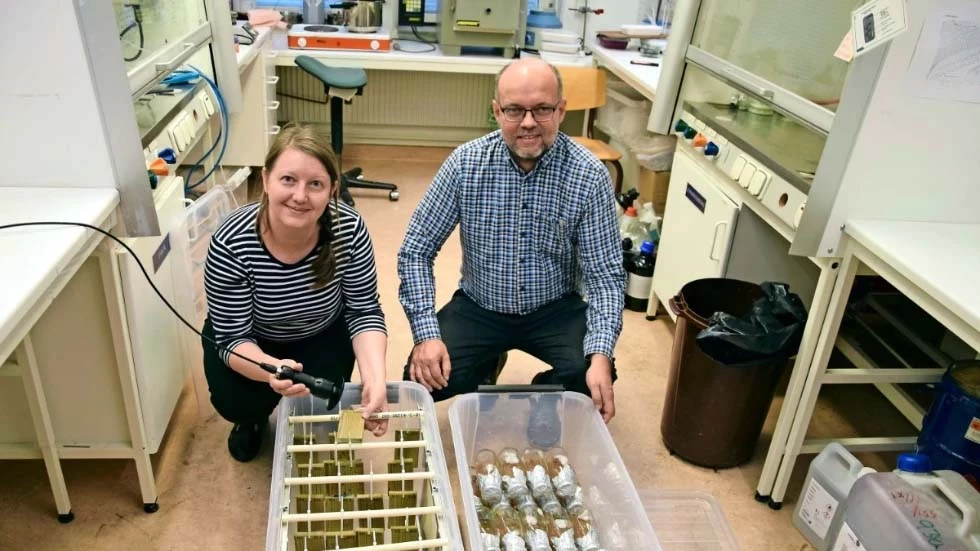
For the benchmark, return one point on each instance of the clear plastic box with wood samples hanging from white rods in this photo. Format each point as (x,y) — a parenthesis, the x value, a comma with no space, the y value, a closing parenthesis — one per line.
(295,518)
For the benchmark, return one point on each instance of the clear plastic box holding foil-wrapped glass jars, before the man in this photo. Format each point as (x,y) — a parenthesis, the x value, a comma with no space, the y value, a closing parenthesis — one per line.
(498,421)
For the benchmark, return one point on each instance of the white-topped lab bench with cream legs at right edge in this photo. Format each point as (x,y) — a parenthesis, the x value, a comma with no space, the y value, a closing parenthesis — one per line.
(933,264)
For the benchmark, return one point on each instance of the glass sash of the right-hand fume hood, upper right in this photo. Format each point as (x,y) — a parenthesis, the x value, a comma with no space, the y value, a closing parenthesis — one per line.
(790,43)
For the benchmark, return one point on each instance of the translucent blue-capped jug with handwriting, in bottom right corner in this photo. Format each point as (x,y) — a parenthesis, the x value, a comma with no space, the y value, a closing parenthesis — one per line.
(887,512)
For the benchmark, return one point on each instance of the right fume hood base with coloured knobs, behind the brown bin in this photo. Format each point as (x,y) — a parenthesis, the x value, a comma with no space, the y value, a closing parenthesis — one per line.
(733,158)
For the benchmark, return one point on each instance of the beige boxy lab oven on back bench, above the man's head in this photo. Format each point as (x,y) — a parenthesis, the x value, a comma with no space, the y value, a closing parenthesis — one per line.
(482,24)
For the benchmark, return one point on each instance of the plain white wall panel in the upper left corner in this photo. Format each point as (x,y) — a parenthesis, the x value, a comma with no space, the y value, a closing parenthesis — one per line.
(52,133)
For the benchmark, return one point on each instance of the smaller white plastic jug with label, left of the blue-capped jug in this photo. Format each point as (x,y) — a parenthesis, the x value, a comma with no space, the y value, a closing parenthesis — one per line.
(819,511)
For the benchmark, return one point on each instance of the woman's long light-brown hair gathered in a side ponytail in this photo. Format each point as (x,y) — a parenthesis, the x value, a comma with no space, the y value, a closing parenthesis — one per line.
(305,138)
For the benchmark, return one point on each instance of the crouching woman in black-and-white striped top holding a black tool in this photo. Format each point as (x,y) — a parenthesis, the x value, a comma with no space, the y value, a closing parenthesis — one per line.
(291,281)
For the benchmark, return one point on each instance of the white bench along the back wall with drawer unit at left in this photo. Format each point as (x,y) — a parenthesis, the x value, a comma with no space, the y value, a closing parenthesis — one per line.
(403,81)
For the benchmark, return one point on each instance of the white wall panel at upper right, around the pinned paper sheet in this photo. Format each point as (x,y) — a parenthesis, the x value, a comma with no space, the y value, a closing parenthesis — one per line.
(913,158)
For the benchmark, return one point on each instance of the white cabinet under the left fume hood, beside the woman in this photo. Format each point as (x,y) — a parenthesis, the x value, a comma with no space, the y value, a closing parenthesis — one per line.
(80,373)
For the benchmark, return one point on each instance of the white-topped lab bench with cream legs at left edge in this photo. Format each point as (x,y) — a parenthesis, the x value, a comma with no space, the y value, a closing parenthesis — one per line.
(42,264)
